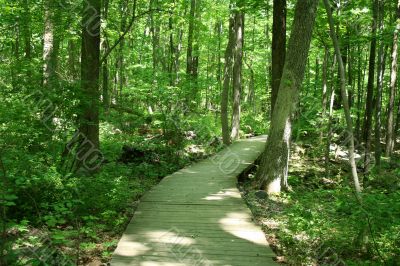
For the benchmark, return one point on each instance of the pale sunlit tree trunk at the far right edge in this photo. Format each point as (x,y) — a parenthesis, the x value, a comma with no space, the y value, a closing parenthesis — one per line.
(393,81)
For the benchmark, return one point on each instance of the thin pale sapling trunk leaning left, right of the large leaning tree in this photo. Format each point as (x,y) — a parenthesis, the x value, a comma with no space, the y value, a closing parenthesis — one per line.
(345,100)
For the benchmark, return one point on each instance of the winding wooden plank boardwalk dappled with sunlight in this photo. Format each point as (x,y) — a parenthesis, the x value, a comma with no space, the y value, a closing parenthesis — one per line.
(197,217)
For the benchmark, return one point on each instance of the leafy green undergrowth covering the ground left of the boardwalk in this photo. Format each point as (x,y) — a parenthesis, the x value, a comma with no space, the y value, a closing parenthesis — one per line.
(53,217)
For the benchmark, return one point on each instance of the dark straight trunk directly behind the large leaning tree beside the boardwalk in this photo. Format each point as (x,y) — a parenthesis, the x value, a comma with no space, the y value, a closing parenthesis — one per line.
(278,47)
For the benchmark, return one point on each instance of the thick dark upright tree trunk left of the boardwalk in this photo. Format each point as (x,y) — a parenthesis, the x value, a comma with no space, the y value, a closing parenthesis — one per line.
(88,141)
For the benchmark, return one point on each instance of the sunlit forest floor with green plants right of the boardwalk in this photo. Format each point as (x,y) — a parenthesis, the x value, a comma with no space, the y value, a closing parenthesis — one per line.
(320,222)
